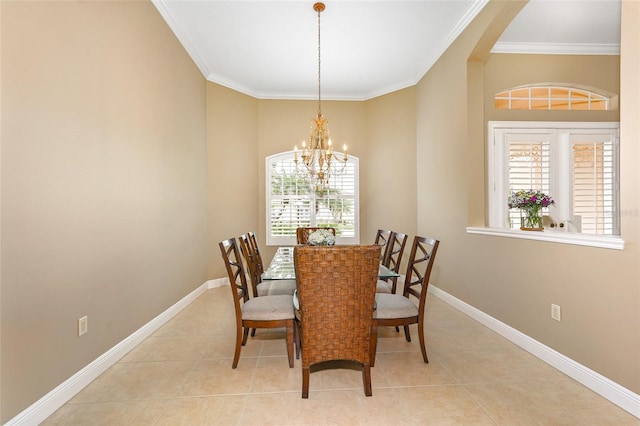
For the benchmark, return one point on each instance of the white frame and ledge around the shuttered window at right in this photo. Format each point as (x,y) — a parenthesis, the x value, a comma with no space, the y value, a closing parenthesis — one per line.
(496,194)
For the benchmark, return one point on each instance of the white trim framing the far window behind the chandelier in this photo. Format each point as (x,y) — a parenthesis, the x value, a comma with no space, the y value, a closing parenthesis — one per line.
(291,241)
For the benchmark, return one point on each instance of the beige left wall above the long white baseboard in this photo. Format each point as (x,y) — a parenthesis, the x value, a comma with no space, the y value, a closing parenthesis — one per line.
(103,184)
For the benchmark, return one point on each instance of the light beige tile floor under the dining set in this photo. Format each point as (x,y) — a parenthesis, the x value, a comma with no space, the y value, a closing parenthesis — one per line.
(181,375)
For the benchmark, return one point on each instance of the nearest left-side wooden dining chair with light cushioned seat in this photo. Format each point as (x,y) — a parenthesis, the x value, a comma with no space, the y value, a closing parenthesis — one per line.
(257,312)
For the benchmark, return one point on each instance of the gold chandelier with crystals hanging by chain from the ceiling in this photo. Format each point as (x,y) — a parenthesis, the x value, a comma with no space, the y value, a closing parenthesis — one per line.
(319,160)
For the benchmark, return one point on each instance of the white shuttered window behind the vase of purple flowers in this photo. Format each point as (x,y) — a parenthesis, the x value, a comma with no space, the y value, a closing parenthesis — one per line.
(575,163)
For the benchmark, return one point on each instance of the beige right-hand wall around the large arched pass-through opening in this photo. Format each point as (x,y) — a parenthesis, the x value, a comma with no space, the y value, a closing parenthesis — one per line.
(516,280)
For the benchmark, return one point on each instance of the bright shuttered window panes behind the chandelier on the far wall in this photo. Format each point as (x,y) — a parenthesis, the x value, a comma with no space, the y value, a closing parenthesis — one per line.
(291,203)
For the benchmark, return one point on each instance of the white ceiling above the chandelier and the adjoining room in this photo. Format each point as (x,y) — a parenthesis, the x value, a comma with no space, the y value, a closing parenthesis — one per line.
(269,49)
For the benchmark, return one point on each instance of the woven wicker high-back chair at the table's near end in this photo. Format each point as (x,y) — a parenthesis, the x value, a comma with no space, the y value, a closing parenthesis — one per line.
(336,292)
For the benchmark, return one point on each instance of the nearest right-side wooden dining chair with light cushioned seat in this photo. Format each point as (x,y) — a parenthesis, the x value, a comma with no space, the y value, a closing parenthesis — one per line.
(400,310)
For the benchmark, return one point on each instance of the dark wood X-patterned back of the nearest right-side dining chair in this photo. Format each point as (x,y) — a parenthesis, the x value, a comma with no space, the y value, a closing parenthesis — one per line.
(423,254)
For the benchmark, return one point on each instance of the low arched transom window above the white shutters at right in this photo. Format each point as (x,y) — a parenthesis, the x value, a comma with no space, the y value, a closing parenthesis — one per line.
(552,97)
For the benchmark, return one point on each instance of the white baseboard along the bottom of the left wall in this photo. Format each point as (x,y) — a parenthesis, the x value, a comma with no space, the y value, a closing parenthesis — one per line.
(48,404)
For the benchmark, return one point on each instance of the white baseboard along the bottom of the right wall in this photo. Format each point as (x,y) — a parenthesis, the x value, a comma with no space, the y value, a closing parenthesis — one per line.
(603,386)
